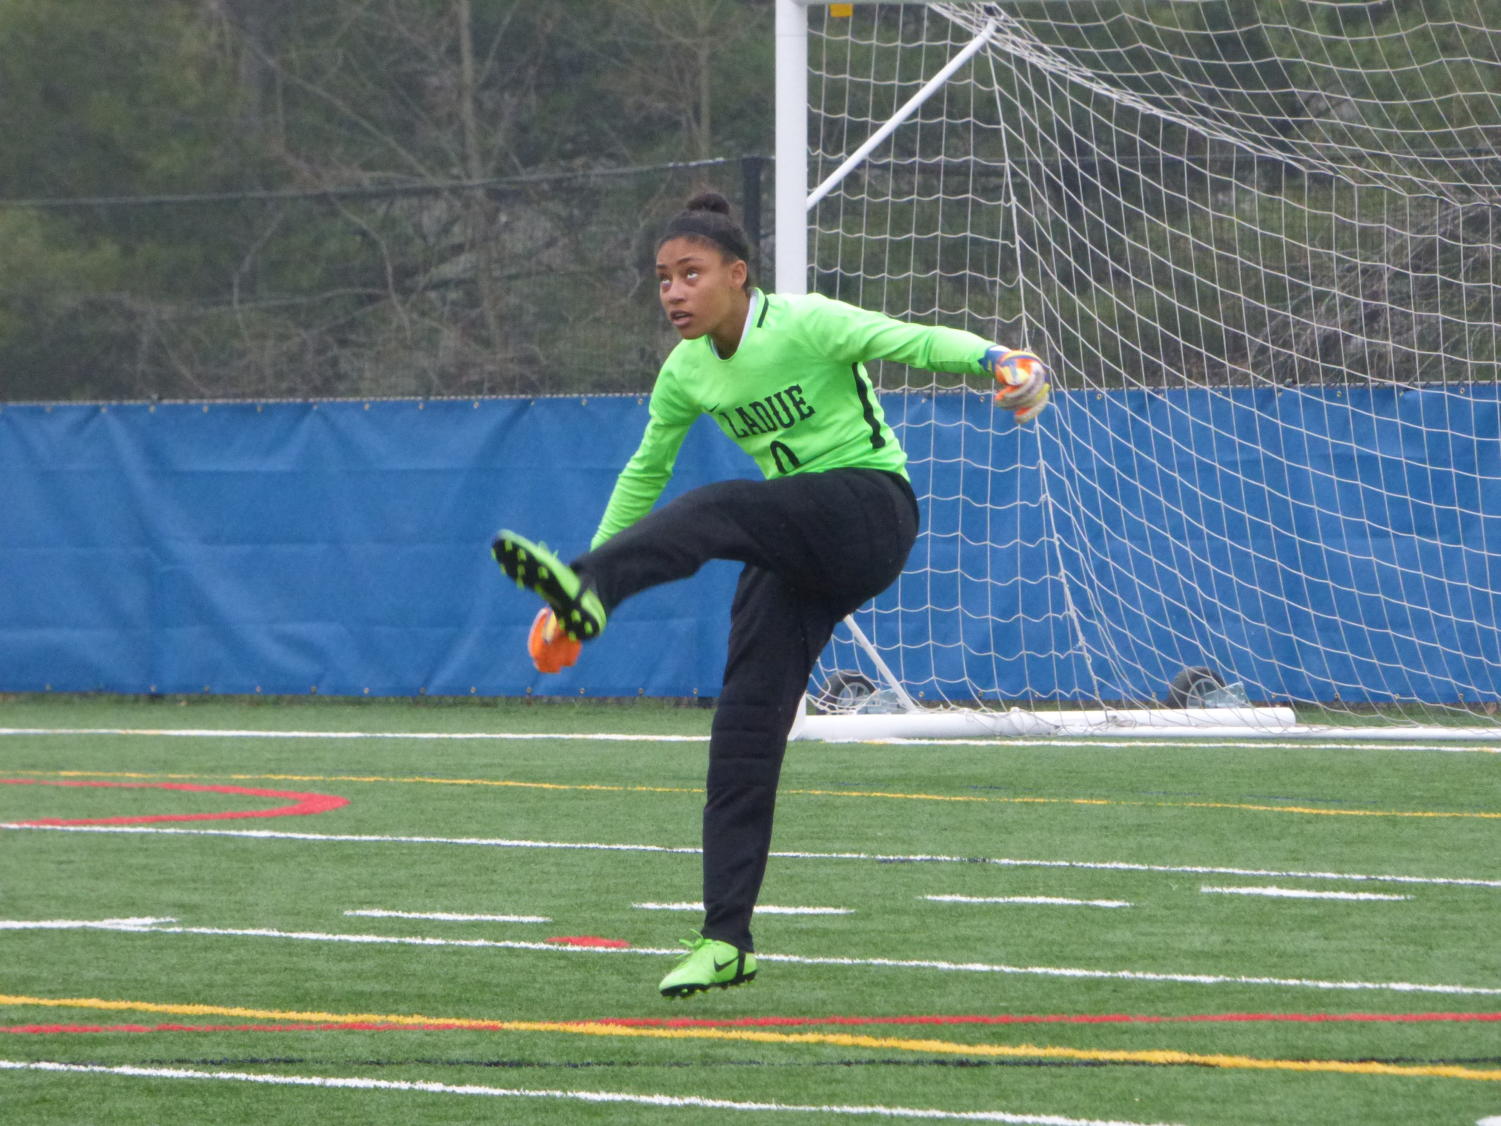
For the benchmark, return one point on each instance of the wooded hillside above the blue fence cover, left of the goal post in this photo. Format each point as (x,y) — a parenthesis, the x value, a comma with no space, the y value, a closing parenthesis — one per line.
(257,199)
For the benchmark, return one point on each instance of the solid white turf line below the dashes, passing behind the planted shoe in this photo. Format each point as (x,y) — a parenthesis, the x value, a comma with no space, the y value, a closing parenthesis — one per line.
(801,960)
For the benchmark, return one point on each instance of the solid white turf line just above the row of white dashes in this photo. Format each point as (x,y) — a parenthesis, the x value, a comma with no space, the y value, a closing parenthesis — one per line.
(879,858)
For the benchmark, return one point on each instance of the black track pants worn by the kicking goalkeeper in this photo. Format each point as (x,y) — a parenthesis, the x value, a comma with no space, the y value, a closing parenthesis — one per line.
(816,547)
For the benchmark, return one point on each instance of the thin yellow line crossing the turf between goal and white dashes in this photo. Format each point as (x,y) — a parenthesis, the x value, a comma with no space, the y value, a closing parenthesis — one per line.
(589,787)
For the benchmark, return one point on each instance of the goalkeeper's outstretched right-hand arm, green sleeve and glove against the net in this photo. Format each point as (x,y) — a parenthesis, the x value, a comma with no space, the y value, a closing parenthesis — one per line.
(856,336)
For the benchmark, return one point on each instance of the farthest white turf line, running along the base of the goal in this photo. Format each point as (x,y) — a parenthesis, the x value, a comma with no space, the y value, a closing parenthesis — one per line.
(1323,741)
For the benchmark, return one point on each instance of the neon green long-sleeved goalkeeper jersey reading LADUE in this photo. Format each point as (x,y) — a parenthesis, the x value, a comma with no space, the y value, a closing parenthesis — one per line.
(795,396)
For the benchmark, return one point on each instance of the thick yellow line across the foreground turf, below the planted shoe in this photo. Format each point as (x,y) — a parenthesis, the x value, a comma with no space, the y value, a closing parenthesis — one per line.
(1152,1056)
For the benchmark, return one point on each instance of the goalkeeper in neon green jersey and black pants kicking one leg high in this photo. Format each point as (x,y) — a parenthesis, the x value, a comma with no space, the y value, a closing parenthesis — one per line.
(826,531)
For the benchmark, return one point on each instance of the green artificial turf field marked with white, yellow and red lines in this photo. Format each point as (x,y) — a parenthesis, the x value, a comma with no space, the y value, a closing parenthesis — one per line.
(1017,932)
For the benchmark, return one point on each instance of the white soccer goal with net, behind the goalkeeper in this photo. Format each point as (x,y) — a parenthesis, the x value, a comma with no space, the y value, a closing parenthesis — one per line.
(1259,248)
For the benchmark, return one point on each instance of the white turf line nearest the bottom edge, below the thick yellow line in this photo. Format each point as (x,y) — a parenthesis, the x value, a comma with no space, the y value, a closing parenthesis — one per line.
(667,1101)
